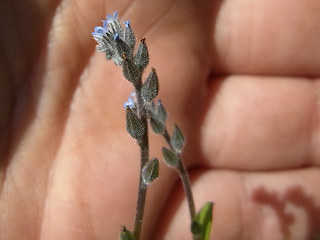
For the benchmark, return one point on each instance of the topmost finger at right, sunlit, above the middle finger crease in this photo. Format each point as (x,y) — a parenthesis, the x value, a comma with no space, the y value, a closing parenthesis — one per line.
(267,37)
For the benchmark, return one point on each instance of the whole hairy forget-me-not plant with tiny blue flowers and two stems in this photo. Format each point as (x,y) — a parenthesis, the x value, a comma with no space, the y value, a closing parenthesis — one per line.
(118,42)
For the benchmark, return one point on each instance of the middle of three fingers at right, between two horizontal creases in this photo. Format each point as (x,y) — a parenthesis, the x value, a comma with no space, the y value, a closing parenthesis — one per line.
(261,123)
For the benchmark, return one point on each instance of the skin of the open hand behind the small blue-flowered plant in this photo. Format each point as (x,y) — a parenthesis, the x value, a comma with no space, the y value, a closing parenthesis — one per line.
(239,77)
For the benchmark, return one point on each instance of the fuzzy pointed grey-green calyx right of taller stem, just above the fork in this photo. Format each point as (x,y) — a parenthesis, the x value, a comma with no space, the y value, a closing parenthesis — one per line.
(150,88)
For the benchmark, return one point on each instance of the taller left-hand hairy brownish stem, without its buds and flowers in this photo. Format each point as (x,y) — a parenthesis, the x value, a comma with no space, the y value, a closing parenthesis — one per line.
(144,157)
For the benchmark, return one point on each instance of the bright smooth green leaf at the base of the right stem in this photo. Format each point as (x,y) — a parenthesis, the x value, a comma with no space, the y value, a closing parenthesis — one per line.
(204,218)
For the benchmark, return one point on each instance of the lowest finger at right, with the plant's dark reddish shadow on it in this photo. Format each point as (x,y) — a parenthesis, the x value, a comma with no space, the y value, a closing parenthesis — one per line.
(273,205)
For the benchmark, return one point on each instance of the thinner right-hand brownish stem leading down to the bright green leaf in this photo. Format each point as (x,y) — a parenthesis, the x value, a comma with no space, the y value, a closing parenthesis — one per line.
(184,179)
